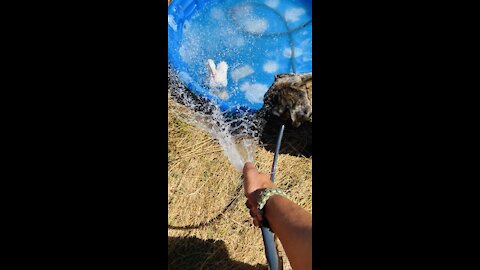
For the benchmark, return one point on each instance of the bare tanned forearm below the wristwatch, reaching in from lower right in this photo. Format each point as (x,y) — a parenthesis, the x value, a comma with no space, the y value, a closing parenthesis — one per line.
(293,226)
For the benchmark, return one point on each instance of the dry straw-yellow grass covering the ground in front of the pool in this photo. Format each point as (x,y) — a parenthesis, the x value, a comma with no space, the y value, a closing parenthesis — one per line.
(201,182)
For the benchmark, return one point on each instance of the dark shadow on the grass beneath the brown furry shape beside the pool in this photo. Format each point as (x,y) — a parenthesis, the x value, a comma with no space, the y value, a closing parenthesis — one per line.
(295,142)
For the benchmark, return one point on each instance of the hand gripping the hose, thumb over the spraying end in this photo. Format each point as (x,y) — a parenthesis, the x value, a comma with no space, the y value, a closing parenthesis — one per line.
(254,183)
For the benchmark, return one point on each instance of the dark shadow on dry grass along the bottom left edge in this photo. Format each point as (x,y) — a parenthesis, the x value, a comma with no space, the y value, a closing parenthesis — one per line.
(194,253)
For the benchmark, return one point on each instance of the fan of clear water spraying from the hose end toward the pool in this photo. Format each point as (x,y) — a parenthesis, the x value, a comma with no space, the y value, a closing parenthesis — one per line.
(238,136)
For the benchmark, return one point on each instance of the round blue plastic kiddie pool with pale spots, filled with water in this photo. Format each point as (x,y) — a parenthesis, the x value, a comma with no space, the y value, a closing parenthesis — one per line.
(257,39)
